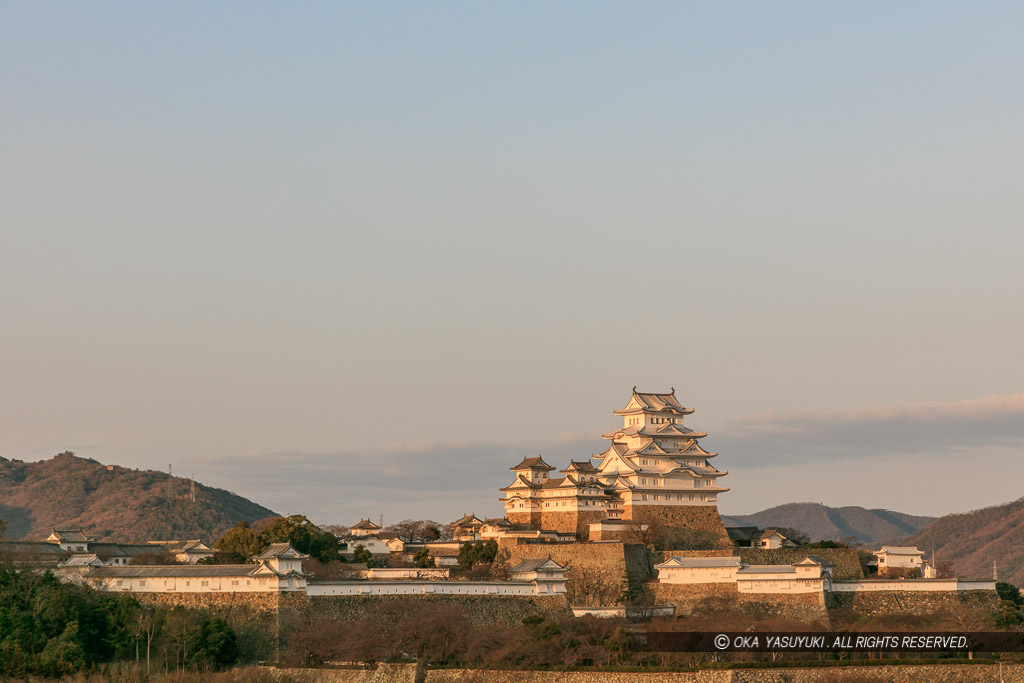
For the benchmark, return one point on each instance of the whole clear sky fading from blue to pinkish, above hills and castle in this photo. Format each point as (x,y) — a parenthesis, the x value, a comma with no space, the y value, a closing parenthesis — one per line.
(351,260)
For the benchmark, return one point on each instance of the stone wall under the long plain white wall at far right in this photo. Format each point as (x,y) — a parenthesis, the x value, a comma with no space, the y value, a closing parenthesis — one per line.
(924,603)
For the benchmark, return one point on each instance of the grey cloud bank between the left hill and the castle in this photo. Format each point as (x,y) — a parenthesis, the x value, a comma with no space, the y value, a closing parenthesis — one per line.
(419,480)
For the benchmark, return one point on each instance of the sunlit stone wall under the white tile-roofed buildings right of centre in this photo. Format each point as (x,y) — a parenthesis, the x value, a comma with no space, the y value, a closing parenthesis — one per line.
(708,600)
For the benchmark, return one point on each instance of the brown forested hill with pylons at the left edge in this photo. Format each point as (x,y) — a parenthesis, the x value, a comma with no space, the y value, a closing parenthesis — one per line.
(112,503)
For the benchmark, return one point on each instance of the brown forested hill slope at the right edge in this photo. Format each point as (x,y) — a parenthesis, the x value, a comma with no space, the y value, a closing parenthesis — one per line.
(972,541)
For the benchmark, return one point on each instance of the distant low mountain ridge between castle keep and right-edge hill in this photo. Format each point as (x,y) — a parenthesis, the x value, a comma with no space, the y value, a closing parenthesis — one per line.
(822,523)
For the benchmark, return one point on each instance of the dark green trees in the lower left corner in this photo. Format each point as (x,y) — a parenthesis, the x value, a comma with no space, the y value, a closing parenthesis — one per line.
(56,629)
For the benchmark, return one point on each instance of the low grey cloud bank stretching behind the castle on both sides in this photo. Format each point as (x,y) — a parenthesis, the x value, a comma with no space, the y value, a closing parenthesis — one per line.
(774,458)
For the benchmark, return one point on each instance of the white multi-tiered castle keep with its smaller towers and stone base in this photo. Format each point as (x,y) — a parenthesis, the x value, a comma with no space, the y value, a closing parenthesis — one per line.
(654,473)
